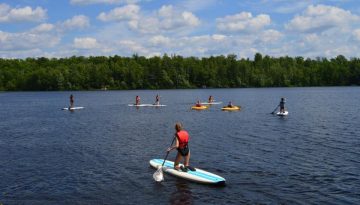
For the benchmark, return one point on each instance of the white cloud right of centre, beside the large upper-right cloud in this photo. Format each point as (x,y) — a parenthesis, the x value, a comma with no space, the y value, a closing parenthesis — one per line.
(243,22)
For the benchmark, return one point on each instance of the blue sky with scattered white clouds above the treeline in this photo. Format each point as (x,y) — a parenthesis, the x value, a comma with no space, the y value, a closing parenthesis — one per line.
(62,28)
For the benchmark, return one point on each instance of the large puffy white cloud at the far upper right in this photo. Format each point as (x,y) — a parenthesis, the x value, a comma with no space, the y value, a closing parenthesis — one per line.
(321,18)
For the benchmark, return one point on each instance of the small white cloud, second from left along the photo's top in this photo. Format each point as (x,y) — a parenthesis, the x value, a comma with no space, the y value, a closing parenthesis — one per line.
(128,12)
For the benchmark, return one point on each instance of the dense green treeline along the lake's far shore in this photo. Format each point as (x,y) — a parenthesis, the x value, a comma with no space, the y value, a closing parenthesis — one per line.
(137,72)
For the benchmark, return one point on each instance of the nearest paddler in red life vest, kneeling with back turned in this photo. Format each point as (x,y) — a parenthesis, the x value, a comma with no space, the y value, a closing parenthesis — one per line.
(182,146)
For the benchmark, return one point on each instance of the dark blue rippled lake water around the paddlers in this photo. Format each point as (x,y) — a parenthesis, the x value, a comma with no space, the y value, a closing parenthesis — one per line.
(100,155)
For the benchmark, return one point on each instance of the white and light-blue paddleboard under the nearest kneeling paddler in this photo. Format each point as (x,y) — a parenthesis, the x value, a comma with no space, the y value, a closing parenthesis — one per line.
(199,175)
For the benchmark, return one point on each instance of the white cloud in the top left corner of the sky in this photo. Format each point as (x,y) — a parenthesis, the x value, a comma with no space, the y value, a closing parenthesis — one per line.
(24,14)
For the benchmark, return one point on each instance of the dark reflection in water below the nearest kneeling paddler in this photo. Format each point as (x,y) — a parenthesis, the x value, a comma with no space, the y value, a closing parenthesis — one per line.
(182,195)
